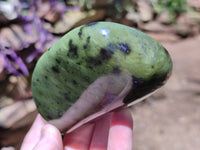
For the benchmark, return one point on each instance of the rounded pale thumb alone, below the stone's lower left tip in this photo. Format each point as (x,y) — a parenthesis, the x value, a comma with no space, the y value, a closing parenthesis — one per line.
(50,139)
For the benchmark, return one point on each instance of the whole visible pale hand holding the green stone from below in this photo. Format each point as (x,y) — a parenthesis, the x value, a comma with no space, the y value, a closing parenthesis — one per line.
(113,131)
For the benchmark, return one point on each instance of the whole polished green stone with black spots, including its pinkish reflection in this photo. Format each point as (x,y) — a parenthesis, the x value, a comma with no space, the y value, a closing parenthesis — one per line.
(95,68)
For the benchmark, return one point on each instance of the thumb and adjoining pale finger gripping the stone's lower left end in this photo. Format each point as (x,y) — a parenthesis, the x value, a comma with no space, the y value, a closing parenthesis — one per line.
(42,136)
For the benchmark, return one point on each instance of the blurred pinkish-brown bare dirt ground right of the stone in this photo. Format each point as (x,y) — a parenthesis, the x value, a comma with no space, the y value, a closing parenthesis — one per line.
(170,119)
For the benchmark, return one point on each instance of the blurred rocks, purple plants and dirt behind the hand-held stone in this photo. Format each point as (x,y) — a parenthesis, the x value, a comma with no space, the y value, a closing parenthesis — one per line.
(169,119)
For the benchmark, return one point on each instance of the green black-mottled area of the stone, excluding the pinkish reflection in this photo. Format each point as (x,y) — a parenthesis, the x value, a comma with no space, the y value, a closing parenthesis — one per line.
(89,52)
